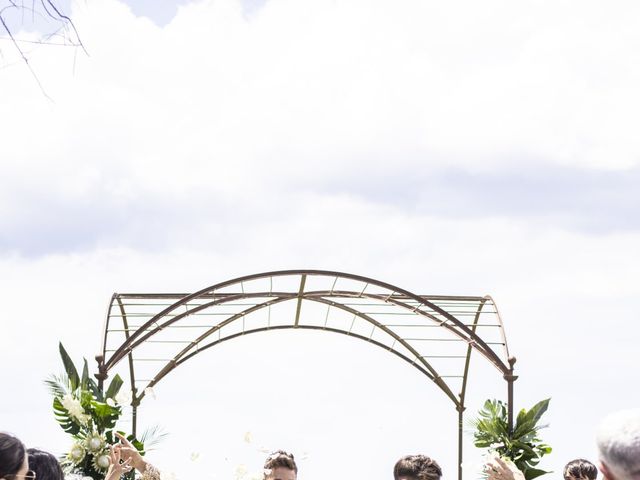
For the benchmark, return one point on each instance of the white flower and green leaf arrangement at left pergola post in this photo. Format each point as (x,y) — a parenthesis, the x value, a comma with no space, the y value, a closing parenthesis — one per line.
(89,415)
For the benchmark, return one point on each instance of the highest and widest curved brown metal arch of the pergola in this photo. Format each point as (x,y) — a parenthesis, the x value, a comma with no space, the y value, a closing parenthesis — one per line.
(477,341)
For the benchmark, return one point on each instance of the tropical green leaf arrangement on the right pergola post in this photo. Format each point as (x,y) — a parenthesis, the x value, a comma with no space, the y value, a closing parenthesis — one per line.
(522,446)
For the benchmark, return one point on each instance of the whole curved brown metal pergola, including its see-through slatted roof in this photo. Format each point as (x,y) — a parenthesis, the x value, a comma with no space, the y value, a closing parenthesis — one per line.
(156,333)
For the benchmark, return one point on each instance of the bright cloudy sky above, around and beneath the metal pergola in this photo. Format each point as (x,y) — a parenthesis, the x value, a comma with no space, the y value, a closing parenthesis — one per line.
(463,148)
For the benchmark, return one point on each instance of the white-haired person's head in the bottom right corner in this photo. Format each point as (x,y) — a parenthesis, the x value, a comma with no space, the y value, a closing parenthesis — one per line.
(618,440)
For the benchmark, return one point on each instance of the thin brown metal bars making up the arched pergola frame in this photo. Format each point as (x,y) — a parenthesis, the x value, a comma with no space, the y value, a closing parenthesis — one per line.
(423,306)
